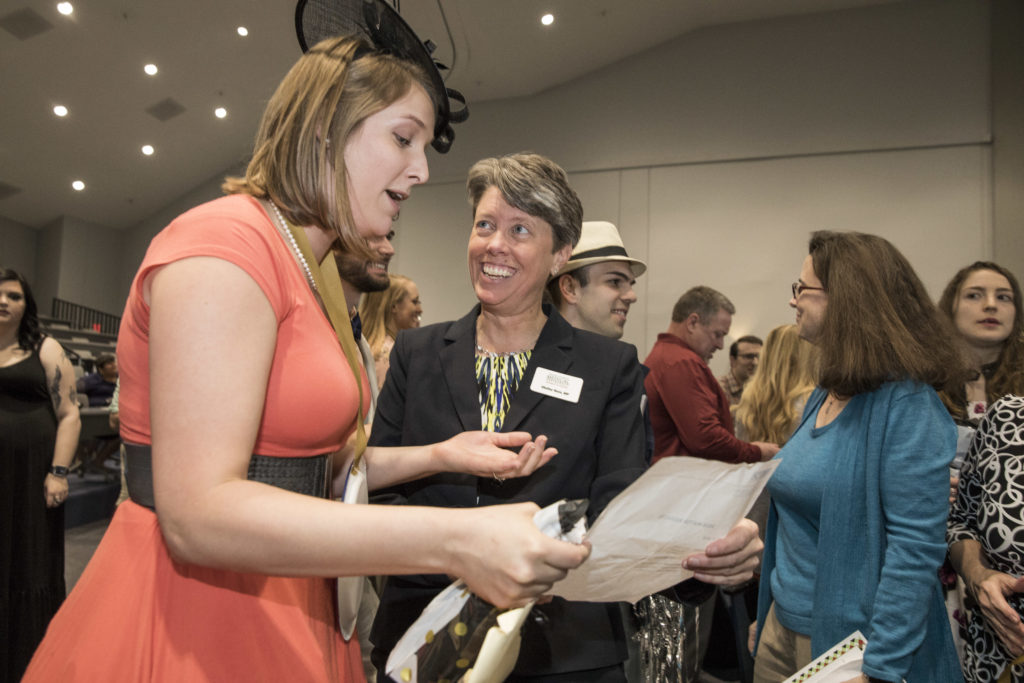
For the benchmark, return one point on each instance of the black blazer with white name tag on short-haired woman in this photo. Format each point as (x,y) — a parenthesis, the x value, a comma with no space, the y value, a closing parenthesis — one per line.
(431,395)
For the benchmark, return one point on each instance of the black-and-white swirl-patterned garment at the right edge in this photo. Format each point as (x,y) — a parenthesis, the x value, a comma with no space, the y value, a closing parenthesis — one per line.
(990,509)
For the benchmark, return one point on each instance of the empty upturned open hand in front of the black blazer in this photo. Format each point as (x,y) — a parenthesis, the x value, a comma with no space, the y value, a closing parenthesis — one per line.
(497,455)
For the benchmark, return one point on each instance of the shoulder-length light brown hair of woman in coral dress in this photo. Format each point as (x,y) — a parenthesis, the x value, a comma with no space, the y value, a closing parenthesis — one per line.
(329,93)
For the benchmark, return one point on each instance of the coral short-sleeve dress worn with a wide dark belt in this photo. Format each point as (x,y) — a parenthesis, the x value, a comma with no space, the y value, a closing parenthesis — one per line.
(137,615)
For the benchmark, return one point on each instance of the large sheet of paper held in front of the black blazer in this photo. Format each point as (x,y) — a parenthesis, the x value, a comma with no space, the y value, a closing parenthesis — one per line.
(675,509)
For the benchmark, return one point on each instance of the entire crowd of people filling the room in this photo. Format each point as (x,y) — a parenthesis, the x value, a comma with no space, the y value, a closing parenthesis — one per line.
(241,451)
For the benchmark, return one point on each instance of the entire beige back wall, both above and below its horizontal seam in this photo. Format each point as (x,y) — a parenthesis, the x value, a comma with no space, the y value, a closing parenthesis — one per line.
(719,153)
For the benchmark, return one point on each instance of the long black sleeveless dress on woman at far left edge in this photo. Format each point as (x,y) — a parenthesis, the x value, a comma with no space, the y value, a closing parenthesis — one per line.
(32,584)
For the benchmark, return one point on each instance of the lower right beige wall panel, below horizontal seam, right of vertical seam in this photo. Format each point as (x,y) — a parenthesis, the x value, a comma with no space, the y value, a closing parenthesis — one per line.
(743,228)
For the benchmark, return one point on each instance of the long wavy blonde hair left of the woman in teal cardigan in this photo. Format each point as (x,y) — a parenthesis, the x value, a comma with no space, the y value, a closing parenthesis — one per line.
(786,376)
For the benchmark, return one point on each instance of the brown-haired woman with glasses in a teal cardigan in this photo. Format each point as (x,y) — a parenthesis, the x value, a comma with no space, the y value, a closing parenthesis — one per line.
(857,530)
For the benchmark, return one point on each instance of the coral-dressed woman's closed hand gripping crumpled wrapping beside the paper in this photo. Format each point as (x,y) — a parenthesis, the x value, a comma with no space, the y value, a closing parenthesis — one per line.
(505,560)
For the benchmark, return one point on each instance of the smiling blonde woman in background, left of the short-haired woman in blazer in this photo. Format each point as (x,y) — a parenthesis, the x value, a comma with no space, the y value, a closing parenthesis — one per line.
(385,315)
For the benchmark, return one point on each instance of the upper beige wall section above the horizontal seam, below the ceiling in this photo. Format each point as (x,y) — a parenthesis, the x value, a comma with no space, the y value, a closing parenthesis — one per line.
(897,75)
